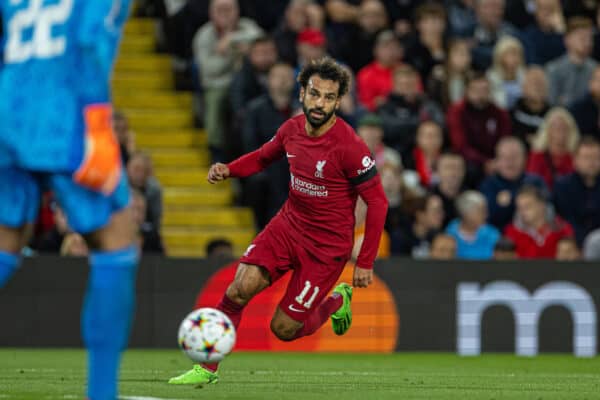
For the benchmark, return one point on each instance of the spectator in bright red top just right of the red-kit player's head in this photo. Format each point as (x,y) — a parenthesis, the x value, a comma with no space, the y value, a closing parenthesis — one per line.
(375,81)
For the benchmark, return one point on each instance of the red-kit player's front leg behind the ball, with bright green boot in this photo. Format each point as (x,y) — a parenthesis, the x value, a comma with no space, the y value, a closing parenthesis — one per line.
(249,280)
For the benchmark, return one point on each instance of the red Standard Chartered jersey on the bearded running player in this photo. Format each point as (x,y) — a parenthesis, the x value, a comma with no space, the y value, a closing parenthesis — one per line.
(324,174)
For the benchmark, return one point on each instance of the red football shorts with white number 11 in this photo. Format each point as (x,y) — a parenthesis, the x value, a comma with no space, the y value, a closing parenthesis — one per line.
(278,250)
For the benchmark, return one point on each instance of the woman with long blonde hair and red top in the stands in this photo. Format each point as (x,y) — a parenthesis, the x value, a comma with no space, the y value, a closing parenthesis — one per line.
(553,146)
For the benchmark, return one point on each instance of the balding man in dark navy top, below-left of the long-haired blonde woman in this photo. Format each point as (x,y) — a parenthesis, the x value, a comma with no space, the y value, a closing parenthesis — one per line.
(501,188)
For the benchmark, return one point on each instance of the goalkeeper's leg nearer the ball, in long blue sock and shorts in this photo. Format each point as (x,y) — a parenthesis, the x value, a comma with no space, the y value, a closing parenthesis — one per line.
(108,226)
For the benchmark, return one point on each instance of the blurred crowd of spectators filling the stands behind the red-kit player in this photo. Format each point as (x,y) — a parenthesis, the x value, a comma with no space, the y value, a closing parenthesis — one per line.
(483,115)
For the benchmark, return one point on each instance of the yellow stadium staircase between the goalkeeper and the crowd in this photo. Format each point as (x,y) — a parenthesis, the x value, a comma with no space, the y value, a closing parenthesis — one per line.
(194,211)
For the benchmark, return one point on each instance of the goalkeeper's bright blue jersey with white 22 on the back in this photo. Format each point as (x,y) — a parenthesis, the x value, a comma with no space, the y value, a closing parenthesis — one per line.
(57,57)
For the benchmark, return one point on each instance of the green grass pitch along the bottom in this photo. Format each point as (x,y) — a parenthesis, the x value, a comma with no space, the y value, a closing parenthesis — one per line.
(59,374)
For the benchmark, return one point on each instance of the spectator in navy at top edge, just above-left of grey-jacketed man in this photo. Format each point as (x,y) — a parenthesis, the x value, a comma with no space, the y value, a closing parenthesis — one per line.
(543,39)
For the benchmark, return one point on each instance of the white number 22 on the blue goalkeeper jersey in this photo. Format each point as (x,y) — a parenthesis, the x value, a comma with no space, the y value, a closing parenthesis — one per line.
(40,20)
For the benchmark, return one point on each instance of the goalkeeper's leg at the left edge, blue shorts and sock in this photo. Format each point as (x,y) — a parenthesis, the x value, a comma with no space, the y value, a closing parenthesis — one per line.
(19,202)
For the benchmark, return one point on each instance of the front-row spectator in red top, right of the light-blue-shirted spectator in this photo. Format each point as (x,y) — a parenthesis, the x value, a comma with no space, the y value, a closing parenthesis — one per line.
(535,232)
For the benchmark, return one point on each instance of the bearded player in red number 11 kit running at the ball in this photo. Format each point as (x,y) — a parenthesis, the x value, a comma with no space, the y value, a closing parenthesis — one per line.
(312,234)
